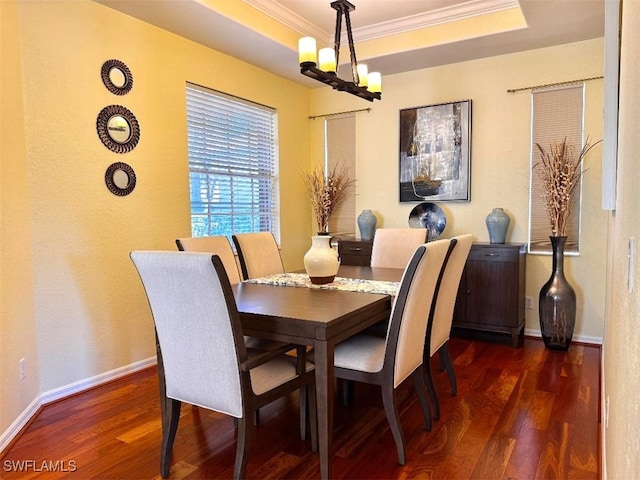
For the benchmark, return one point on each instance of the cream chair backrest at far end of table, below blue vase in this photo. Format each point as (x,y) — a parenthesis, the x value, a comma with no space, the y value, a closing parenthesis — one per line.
(394,247)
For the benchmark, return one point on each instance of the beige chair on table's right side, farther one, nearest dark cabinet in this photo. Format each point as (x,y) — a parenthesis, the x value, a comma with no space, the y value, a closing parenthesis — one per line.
(441,316)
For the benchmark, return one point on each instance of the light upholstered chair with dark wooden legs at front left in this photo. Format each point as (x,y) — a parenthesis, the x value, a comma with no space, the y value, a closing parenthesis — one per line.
(201,351)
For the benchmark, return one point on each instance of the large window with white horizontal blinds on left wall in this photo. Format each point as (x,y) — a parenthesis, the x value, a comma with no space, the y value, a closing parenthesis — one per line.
(233,167)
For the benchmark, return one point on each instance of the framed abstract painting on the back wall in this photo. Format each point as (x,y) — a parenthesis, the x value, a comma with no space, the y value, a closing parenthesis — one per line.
(435,152)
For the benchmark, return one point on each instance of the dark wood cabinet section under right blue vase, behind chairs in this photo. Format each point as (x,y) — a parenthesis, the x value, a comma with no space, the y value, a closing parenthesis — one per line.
(491,294)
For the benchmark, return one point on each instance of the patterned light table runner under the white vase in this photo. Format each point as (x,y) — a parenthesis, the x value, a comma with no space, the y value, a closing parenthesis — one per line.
(339,283)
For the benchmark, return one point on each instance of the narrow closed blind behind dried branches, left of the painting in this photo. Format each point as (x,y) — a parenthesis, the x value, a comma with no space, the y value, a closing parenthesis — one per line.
(340,136)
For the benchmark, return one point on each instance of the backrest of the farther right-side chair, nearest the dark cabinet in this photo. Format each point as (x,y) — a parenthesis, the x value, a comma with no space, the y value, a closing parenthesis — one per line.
(442,316)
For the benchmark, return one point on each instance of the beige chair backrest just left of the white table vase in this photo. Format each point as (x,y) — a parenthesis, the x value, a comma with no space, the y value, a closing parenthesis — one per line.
(258,253)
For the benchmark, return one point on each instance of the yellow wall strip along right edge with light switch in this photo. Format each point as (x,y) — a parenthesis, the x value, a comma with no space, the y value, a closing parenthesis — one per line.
(621,360)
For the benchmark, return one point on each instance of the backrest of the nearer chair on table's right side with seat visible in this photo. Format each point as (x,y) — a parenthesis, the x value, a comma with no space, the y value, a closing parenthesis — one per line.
(410,312)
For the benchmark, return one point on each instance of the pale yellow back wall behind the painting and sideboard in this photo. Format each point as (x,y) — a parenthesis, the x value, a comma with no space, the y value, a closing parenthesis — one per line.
(499,156)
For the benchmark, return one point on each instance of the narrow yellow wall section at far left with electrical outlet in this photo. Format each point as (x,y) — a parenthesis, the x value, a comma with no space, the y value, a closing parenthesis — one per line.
(17,320)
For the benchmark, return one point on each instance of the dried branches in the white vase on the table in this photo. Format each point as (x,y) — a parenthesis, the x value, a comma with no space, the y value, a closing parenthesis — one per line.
(326,192)
